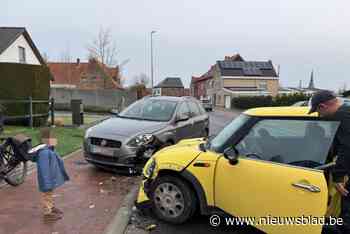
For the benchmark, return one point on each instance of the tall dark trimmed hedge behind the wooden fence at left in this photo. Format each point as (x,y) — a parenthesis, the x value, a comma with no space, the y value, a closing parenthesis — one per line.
(21,81)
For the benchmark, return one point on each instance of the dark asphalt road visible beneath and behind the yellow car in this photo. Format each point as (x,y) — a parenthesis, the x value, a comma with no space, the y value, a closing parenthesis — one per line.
(198,224)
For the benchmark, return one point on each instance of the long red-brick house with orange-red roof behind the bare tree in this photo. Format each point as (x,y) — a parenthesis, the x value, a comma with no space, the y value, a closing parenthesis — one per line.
(89,75)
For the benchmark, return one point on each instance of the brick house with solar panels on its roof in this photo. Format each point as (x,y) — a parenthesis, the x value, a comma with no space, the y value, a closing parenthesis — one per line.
(234,77)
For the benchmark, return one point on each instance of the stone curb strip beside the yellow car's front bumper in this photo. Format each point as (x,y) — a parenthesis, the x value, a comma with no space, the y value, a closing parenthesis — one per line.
(121,219)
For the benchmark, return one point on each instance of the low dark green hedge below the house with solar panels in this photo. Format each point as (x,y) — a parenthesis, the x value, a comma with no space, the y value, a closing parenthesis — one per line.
(247,102)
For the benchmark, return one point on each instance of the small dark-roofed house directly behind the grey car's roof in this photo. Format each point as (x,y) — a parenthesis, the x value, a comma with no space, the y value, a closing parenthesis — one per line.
(170,86)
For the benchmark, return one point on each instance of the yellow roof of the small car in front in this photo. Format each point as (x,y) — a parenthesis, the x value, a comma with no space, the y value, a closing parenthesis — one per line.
(287,111)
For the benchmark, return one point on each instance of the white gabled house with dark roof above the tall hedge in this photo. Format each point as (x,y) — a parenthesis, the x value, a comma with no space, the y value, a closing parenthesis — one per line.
(16,46)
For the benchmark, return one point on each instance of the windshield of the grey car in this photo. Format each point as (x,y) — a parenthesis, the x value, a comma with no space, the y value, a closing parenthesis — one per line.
(150,109)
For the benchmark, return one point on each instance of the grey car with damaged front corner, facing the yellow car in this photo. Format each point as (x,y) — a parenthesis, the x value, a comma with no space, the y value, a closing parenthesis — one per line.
(116,142)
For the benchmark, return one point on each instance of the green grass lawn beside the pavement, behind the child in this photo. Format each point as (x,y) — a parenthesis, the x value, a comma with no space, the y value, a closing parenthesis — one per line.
(69,139)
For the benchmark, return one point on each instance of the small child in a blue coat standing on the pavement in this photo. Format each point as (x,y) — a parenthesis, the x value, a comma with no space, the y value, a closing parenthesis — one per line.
(51,174)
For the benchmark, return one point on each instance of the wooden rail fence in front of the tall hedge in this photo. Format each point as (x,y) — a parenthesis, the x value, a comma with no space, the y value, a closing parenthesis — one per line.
(30,114)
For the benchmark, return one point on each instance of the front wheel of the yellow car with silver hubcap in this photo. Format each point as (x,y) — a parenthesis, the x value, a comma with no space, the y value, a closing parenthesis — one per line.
(173,200)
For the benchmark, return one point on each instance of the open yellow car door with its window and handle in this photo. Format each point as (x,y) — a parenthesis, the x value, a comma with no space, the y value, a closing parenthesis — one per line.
(280,184)
